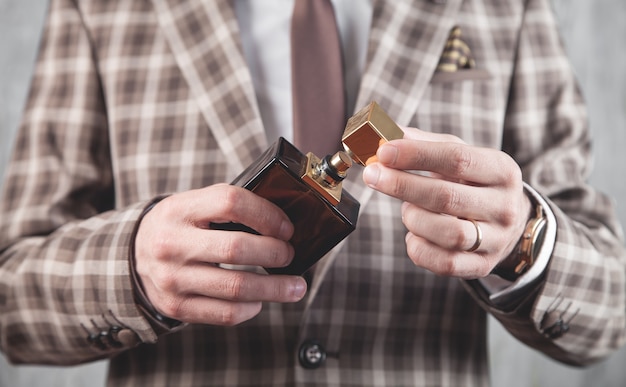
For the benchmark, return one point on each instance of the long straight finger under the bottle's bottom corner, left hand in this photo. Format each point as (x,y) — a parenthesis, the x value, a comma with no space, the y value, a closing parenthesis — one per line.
(238,285)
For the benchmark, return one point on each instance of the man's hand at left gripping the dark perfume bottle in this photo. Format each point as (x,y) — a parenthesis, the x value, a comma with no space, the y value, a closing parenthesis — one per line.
(177,256)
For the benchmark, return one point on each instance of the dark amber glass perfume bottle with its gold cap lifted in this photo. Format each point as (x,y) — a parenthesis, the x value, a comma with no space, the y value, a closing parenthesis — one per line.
(309,189)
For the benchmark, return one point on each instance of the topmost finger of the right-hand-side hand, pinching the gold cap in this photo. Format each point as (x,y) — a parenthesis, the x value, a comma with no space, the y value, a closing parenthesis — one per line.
(481,166)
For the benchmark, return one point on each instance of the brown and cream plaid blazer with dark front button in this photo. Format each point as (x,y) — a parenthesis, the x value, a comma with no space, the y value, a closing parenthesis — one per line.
(134,99)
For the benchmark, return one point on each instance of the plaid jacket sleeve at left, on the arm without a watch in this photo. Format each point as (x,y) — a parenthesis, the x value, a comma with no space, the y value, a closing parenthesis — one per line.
(66,296)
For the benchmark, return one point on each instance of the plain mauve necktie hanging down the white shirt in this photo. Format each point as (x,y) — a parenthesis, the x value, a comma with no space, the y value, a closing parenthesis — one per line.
(317,78)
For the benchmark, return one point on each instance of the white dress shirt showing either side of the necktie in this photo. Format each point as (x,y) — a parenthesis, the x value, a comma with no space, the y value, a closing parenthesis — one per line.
(265,32)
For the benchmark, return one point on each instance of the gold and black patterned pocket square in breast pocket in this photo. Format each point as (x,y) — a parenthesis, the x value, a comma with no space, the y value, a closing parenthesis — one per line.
(456,62)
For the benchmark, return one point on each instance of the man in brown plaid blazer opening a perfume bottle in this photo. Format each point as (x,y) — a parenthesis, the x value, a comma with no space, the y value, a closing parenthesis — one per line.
(139,110)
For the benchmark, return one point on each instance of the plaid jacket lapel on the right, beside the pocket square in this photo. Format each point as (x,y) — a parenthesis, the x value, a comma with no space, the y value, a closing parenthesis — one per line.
(406,41)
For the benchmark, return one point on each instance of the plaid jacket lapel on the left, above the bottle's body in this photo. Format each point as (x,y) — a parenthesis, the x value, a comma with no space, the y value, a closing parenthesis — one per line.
(204,38)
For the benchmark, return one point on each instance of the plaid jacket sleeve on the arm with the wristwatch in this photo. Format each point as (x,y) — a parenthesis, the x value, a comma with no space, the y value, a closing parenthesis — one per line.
(575,312)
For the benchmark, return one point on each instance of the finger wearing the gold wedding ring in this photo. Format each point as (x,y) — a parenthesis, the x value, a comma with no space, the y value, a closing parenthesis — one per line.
(447,232)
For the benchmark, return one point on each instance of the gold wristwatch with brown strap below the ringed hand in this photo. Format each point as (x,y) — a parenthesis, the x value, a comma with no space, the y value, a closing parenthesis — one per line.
(527,248)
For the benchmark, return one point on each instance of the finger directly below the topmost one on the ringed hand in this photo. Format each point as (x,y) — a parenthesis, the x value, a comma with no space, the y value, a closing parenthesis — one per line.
(436,195)
